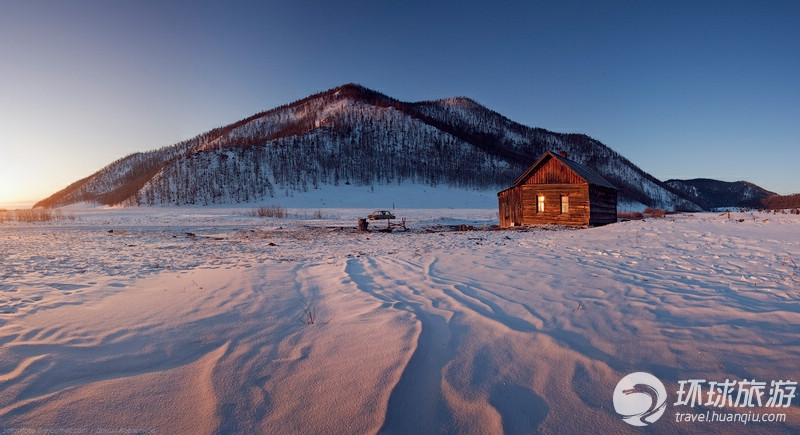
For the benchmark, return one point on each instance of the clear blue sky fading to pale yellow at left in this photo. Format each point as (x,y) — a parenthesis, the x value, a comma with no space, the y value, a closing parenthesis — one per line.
(684,89)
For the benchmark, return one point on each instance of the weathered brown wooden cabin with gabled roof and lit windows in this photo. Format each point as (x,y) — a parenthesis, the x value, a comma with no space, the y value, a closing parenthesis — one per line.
(556,190)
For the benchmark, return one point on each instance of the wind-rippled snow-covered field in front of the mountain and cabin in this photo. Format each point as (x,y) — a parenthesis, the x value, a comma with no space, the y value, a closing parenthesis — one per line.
(193,320)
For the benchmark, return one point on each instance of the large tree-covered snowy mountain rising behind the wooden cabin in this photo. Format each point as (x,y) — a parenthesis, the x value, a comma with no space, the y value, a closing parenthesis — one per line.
(353,136)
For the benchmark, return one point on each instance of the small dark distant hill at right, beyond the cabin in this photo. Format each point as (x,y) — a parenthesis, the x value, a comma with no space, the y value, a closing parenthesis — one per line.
(714,193)
